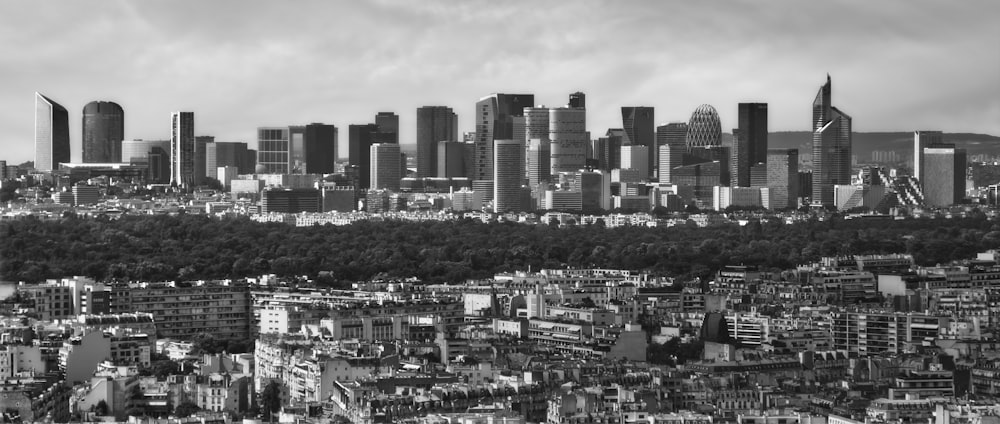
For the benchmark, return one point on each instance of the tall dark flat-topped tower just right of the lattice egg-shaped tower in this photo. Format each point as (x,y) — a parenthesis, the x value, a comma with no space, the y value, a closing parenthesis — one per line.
(749,142)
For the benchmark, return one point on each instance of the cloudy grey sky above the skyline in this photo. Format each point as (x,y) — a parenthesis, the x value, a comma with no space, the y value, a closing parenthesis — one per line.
(896,65)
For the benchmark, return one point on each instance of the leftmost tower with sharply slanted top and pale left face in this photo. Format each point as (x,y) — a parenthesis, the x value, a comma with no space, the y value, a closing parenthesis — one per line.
(51,134)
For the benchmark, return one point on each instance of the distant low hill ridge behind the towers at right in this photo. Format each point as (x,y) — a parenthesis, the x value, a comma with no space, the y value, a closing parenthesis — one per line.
(864,143)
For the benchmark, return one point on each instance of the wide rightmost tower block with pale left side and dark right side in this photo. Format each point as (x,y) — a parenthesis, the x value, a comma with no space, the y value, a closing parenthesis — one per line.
(944,175)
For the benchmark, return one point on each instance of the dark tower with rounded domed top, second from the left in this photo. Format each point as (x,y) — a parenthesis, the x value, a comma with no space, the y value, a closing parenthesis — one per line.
(103,132)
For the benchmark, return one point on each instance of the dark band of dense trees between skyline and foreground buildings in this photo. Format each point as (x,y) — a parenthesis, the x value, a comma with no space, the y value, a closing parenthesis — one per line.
(195,247)
